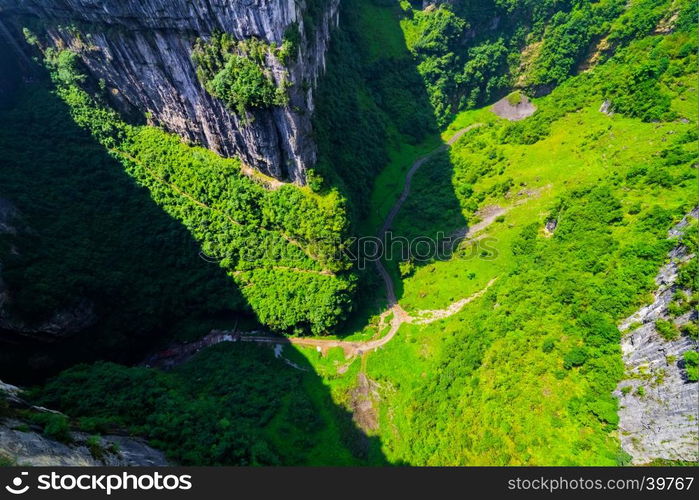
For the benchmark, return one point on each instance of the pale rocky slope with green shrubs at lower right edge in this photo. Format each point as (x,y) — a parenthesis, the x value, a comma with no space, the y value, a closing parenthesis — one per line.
(658,396)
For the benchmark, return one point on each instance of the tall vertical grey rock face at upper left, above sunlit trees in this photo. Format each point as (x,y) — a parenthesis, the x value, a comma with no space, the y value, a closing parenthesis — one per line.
(142,49)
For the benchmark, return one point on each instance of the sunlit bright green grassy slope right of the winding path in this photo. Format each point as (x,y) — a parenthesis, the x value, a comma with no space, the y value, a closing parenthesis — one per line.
(525,375)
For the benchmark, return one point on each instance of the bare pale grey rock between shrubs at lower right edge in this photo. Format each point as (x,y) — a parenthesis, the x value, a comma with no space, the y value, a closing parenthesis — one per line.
(659,406)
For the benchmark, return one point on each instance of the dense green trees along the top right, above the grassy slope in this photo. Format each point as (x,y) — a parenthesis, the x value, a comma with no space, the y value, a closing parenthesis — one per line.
(470,53)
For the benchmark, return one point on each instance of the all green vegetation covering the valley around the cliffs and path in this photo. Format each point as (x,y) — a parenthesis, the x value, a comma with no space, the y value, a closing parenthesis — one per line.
(573,205)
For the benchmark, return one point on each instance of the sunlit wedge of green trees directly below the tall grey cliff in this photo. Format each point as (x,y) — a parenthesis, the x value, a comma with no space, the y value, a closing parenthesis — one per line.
(283,247)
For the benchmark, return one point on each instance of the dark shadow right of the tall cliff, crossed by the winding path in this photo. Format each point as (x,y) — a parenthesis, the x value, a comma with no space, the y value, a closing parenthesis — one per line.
(369,104)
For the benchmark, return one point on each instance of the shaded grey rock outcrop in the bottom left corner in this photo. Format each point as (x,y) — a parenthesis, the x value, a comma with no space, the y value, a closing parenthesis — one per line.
(22,443)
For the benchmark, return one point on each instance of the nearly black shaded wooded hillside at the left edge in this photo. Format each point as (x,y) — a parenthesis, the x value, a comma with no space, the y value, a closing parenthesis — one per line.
(89,239)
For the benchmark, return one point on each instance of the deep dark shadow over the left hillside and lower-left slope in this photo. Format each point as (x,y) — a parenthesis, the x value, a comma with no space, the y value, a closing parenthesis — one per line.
(87,241)
